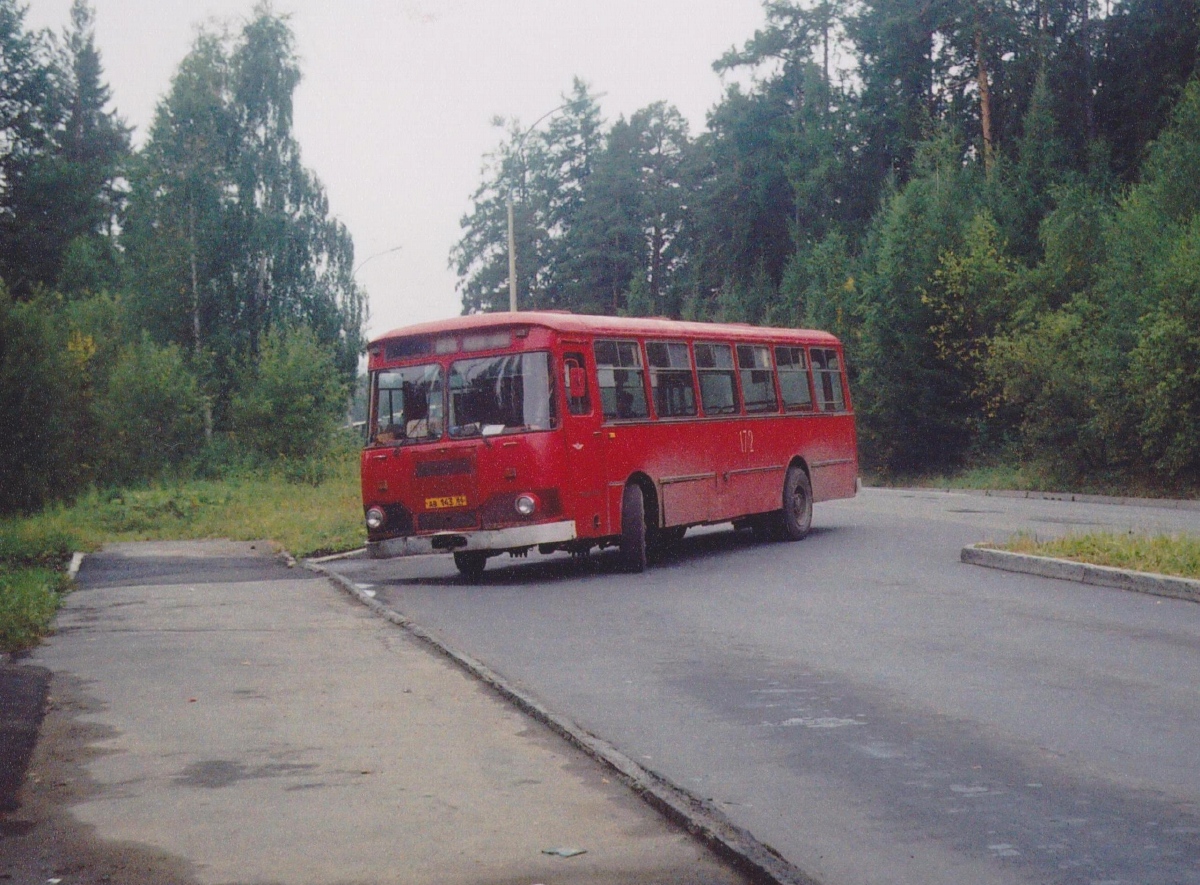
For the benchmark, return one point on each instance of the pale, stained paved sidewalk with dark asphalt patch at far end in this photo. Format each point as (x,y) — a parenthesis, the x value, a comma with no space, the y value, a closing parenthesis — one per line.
(219,718)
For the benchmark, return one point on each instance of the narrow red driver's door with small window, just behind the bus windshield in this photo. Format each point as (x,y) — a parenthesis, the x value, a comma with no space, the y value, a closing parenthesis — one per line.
(586,481)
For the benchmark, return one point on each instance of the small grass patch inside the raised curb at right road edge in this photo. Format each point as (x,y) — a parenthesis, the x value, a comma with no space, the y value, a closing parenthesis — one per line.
(1165,555)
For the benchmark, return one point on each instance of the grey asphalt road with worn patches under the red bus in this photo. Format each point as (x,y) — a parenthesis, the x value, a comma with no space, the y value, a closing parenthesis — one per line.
(862,702)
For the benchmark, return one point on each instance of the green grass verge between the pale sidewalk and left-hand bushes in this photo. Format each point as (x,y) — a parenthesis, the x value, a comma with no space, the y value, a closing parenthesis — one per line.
(283,507)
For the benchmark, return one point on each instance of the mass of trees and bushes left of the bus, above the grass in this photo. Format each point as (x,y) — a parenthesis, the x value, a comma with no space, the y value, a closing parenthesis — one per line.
(185,306)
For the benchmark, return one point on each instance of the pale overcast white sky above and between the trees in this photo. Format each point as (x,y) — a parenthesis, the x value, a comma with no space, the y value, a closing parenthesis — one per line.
(395,110)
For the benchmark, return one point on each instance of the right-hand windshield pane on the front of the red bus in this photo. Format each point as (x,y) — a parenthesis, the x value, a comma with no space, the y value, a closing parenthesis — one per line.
(502,395)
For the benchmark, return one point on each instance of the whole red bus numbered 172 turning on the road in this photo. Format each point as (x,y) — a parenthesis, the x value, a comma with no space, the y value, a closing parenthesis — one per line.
(506,432)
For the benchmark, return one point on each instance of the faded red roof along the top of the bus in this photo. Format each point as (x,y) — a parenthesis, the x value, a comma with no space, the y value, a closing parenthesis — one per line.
(587,324)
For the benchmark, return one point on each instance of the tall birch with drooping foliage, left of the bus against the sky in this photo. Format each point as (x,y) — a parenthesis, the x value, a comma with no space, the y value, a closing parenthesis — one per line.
(230,236)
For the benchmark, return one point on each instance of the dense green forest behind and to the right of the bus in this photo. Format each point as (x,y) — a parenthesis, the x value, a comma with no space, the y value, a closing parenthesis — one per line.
(993,202)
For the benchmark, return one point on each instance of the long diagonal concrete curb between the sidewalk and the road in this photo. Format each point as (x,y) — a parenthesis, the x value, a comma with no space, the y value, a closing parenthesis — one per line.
(737,846)
